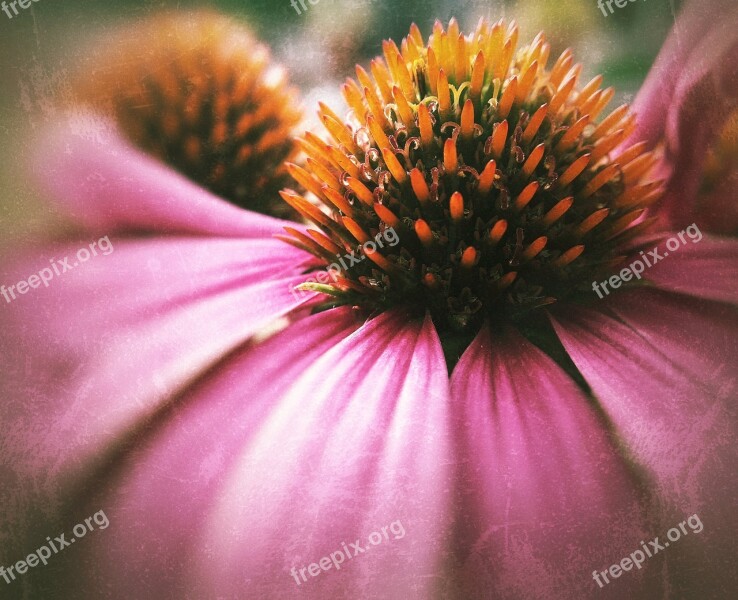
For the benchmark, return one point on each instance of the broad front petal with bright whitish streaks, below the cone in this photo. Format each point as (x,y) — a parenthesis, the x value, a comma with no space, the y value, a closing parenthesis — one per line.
(366,448)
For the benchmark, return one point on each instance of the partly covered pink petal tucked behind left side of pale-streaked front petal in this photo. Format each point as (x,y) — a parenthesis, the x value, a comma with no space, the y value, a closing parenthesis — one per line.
(178,468)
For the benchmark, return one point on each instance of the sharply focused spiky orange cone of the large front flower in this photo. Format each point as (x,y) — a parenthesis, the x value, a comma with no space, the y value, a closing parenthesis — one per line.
(492,170)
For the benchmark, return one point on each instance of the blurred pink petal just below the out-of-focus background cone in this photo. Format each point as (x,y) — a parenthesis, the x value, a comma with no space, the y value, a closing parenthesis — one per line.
(107,186)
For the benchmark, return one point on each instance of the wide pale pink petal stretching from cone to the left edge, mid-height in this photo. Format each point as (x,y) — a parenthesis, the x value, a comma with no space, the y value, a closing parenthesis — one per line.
(135,328)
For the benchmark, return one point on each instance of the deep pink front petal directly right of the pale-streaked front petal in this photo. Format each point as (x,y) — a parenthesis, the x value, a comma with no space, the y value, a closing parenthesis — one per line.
(546,498)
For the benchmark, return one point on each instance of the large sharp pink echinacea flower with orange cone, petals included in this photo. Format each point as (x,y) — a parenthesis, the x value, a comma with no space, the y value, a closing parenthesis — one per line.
(569,429)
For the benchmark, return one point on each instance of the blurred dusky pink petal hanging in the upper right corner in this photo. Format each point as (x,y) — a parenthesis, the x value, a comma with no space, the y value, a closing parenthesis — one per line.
(687,97)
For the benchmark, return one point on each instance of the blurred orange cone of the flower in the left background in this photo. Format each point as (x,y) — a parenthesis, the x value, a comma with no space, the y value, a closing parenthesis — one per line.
(199,92)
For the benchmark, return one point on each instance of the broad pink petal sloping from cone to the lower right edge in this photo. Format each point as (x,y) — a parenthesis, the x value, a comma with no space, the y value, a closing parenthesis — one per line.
(664,369)
